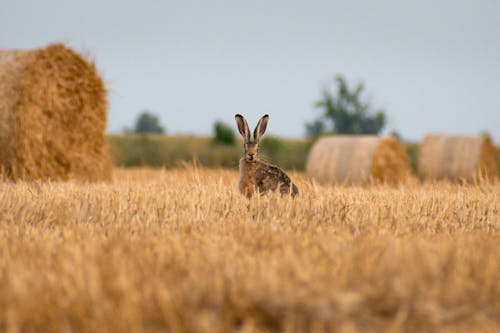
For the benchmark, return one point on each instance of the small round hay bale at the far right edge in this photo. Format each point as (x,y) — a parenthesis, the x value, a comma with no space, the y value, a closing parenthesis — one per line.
(458,158)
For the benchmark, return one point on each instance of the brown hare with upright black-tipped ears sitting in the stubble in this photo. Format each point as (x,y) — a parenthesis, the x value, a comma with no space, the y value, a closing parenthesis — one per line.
(255,175)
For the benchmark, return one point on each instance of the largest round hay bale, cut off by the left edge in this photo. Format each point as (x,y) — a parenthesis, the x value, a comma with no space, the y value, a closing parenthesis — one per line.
(52,116)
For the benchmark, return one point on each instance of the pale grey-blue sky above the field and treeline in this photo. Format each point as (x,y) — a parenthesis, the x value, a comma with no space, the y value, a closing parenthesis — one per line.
(434,66)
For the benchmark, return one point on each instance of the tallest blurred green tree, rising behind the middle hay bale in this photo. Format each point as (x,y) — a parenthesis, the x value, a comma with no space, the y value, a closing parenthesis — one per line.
(345,112)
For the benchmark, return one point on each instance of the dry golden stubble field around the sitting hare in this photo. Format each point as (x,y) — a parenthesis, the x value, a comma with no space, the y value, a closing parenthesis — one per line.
(182,251)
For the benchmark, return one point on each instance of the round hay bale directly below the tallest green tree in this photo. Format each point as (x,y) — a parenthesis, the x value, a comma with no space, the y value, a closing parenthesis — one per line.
(358,160)
